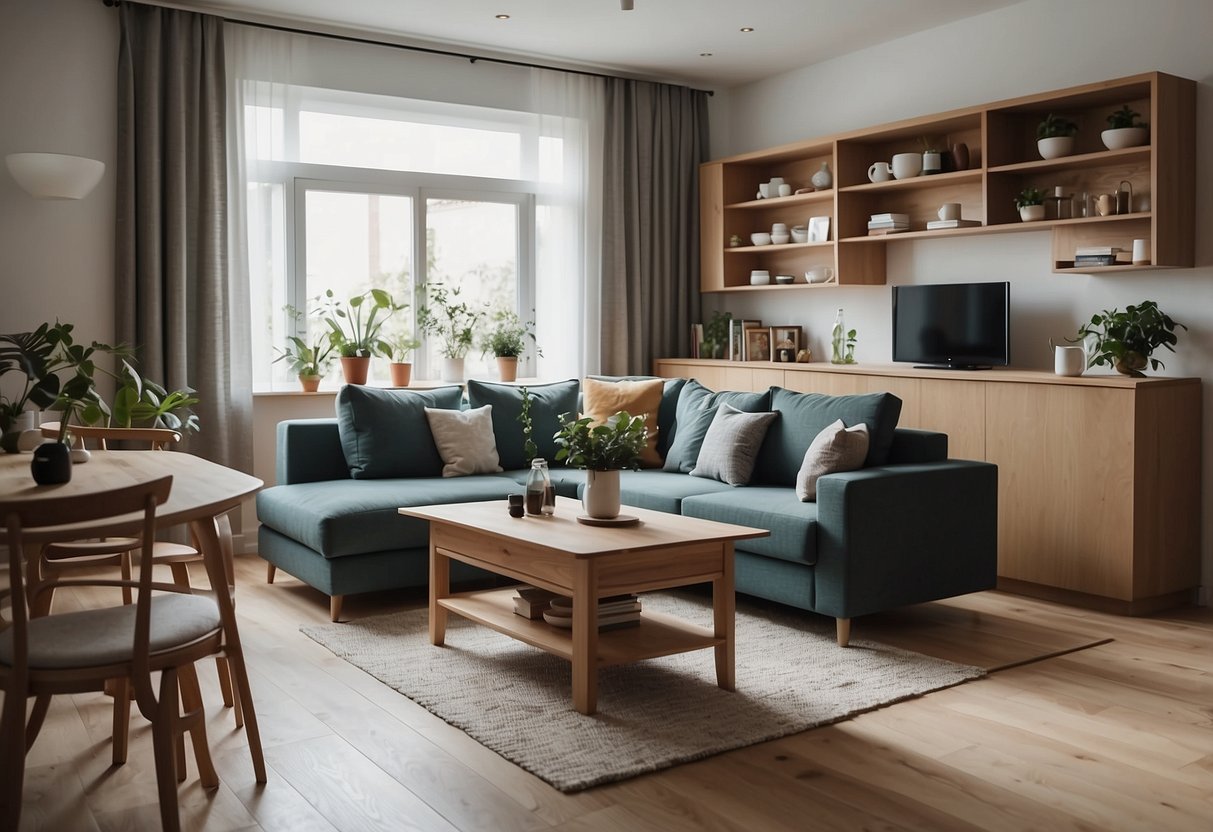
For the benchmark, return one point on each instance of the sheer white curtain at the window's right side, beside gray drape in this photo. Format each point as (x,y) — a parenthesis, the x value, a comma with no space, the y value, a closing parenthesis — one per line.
(568,281)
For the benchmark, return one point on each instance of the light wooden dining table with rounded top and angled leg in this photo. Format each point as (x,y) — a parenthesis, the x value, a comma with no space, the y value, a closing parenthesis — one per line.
(203,493)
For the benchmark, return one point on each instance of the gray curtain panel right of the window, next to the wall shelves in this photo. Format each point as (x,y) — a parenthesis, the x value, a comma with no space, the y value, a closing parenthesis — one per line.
(657,139)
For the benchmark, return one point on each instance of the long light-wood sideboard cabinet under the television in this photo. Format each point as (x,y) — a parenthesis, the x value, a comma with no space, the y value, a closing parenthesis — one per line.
(1100,481)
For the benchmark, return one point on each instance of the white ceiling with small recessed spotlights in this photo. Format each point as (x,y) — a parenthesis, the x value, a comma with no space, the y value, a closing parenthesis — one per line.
(691,42)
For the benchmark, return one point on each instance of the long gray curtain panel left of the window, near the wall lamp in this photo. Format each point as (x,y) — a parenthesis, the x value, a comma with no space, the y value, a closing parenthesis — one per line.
(175,301)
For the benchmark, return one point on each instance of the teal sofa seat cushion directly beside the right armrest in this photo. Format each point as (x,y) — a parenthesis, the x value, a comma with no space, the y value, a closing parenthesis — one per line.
(793,525)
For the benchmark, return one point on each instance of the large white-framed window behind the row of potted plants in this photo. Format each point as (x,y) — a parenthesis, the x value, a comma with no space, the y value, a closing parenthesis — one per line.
(351,191)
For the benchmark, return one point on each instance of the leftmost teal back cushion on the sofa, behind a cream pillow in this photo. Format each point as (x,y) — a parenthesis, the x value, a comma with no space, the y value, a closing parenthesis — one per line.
(385,432)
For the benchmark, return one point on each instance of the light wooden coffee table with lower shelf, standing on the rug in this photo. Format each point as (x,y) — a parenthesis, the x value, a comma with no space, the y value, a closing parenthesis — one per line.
(586,563)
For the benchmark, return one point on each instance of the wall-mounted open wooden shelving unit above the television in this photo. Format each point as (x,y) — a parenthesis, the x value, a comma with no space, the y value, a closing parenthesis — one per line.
(1004,159)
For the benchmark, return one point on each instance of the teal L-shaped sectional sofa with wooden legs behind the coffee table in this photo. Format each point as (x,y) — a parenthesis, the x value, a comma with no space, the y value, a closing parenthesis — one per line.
(909,526)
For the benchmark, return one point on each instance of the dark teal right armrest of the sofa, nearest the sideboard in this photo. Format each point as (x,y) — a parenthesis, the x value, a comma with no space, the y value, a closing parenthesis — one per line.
(906,534)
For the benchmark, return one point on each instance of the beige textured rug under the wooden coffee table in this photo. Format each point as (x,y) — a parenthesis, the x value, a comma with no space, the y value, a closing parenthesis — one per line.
(516,699)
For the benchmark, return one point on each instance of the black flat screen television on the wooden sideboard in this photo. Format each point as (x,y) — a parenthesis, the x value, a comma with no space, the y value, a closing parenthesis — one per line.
(954,326)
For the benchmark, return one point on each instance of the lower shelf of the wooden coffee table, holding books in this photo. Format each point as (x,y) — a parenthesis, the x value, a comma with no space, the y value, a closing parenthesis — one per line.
(657,635)
